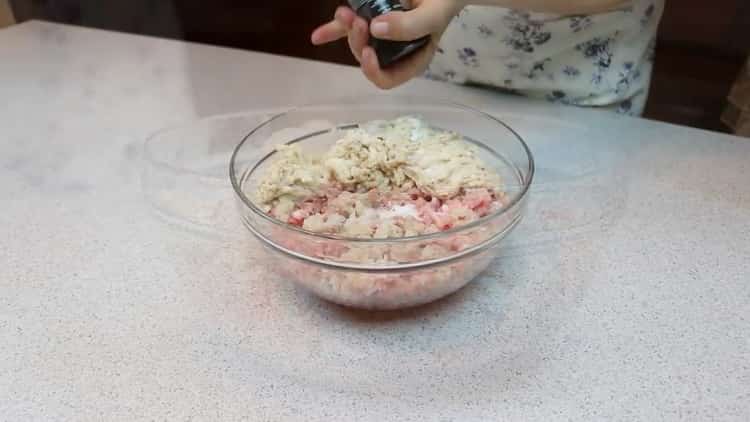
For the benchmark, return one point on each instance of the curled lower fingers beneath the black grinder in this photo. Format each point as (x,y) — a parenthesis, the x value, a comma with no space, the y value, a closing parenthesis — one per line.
(398,74)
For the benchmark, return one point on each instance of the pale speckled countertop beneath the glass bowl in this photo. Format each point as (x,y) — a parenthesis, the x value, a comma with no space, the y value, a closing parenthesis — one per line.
(625,294)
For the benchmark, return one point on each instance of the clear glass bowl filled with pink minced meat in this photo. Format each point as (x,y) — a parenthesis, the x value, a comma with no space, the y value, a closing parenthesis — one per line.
(382,274)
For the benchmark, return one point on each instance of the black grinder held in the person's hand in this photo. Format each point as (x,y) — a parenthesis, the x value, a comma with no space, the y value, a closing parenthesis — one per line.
(388,52)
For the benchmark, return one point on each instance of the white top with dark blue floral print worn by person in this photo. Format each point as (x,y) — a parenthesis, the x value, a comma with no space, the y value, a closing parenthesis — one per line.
(602,60)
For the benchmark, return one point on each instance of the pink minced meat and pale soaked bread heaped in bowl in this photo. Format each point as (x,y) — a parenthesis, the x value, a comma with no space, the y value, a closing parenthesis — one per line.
(383,179)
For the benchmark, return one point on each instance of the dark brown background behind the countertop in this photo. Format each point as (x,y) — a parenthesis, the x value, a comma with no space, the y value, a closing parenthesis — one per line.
(702,45)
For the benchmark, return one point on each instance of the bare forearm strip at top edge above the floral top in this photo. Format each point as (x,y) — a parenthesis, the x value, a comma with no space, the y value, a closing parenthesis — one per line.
(560,7)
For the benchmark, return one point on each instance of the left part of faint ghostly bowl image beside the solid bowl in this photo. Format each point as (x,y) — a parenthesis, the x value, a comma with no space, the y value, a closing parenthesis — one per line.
(184,172)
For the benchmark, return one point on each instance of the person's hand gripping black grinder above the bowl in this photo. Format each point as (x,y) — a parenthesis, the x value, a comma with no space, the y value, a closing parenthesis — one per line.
(429,17)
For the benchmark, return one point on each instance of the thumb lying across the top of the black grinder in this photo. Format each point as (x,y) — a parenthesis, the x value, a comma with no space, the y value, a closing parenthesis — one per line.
(429,17)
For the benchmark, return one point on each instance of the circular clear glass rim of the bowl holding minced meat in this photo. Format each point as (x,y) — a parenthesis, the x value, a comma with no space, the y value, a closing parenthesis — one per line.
(519,198)
